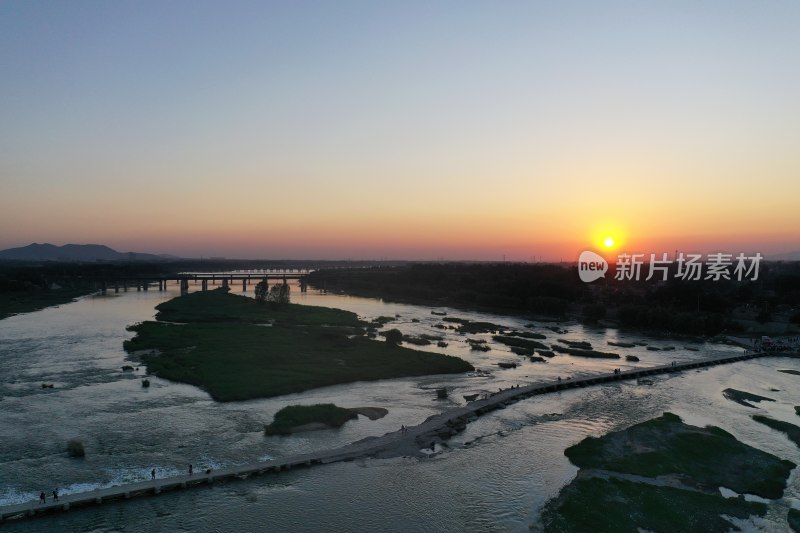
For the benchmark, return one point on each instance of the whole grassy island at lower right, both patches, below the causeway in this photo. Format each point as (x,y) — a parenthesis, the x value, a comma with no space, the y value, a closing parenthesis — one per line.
(664,475)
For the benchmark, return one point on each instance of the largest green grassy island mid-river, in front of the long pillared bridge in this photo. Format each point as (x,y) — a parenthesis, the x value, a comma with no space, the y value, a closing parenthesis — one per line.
(237,349)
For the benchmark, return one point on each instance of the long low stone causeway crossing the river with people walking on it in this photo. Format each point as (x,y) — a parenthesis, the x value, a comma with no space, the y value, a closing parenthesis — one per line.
(435,429)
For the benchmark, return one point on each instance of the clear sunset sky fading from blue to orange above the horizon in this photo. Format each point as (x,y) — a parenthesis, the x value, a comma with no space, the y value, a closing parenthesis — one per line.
(400,130)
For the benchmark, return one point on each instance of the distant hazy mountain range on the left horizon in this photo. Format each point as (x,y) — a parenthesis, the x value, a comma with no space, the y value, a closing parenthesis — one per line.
(75,253)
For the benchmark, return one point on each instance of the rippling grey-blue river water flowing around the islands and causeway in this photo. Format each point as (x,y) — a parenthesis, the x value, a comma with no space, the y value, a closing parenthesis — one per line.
(496,476)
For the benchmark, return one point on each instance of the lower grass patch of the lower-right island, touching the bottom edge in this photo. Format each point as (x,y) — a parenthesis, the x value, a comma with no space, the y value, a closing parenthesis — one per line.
(617,506)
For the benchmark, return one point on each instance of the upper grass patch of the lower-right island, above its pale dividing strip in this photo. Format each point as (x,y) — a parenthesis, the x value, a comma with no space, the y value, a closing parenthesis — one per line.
(703,457)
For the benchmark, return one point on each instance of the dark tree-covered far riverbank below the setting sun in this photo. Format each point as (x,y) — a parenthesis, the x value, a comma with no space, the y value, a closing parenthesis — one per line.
(555,292)
